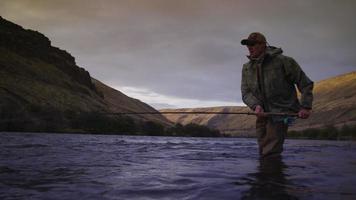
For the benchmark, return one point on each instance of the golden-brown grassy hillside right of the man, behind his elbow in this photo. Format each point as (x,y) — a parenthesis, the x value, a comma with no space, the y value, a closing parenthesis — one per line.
(334,103)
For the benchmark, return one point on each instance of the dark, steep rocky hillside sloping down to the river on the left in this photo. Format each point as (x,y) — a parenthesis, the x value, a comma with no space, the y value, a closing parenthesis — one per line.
(42,88)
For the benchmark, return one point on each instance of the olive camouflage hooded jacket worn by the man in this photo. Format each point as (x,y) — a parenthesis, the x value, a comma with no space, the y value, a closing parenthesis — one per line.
(270,81)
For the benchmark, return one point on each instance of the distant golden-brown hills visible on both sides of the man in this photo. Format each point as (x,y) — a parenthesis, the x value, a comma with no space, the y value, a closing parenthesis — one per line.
(334,104)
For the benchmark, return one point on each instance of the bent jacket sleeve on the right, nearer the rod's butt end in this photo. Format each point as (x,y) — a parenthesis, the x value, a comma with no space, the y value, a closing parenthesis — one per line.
(297,76)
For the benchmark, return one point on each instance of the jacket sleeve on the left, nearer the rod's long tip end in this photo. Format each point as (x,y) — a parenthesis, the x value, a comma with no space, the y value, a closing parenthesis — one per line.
(247,96)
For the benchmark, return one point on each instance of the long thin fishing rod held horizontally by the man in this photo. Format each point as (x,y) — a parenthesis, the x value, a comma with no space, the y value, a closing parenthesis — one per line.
(202,113)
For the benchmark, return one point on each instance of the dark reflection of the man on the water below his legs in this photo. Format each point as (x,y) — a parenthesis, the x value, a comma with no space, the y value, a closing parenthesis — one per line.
(270,181)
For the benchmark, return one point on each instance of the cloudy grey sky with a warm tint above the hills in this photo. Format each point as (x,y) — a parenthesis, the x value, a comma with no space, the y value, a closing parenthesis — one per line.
(187,53)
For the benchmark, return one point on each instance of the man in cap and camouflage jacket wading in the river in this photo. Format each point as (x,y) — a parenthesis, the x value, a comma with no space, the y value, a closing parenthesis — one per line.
(268,84)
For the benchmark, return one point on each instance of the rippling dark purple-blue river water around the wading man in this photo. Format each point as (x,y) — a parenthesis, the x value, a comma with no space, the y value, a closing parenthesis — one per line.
(65,166)
